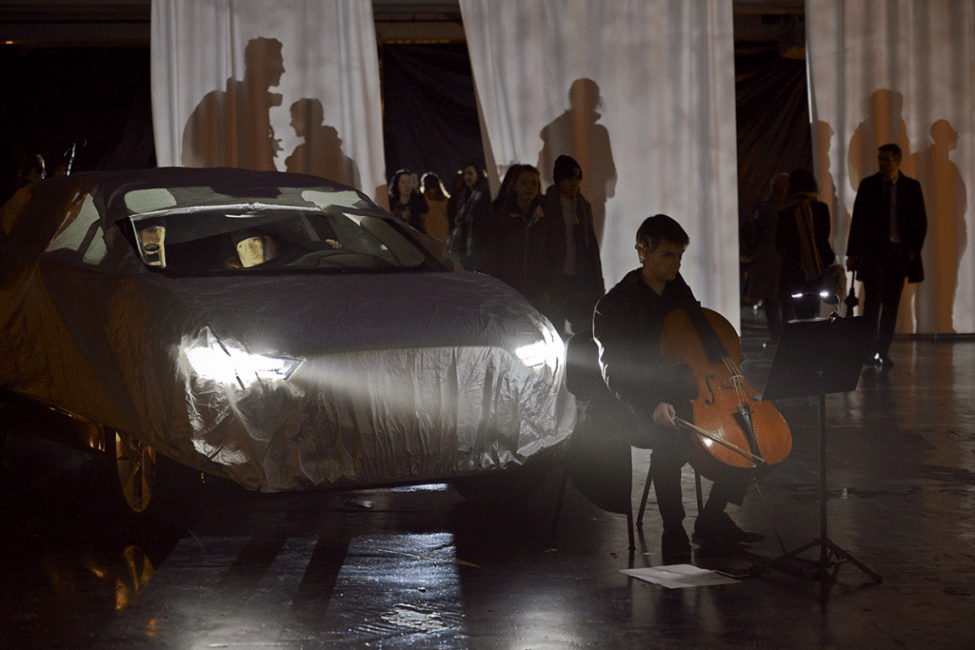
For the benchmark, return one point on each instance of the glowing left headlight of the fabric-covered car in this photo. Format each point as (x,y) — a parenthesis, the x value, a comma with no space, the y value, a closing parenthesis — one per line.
(230,363)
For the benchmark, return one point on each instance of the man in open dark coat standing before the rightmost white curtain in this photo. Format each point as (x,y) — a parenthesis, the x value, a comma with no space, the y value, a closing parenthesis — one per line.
(886,235)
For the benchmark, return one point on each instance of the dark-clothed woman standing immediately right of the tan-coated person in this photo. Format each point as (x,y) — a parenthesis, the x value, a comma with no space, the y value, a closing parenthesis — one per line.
(469,217)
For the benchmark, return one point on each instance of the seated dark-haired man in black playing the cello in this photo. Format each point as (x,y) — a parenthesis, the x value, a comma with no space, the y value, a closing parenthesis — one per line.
(627,326)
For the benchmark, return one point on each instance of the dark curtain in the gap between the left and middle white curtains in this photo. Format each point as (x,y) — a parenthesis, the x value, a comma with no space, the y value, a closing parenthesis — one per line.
(429,109)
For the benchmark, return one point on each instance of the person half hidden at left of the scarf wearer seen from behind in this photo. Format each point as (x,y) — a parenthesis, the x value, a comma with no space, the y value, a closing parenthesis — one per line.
(763,277)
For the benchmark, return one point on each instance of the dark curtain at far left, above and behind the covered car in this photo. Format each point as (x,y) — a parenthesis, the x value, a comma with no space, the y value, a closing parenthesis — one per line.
(95,100)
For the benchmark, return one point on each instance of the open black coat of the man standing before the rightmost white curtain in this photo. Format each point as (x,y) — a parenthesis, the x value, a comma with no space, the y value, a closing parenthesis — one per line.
(870,228)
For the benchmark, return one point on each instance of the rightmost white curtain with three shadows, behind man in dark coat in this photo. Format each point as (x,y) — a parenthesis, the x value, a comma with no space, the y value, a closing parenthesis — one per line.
(901,71)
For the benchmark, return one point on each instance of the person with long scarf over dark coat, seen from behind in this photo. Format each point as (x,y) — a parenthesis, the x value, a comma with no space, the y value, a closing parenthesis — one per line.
(802,241)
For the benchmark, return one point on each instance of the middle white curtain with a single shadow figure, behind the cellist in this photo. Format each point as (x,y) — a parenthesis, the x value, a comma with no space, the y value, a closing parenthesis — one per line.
(641,93)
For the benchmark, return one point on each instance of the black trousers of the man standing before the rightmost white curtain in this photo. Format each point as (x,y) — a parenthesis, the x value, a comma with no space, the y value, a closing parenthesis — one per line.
(883,282)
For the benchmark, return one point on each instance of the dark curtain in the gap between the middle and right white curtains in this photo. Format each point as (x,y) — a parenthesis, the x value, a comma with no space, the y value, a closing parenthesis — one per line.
(773,123)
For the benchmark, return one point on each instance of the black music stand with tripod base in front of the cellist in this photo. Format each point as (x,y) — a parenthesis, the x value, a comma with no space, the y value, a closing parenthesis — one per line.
(816,357)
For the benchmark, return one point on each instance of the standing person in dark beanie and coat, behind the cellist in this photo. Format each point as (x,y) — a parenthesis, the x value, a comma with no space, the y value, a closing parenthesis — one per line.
(576,253)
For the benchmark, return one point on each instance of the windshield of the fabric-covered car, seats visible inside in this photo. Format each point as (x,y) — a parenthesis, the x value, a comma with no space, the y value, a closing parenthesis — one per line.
(273,238)
